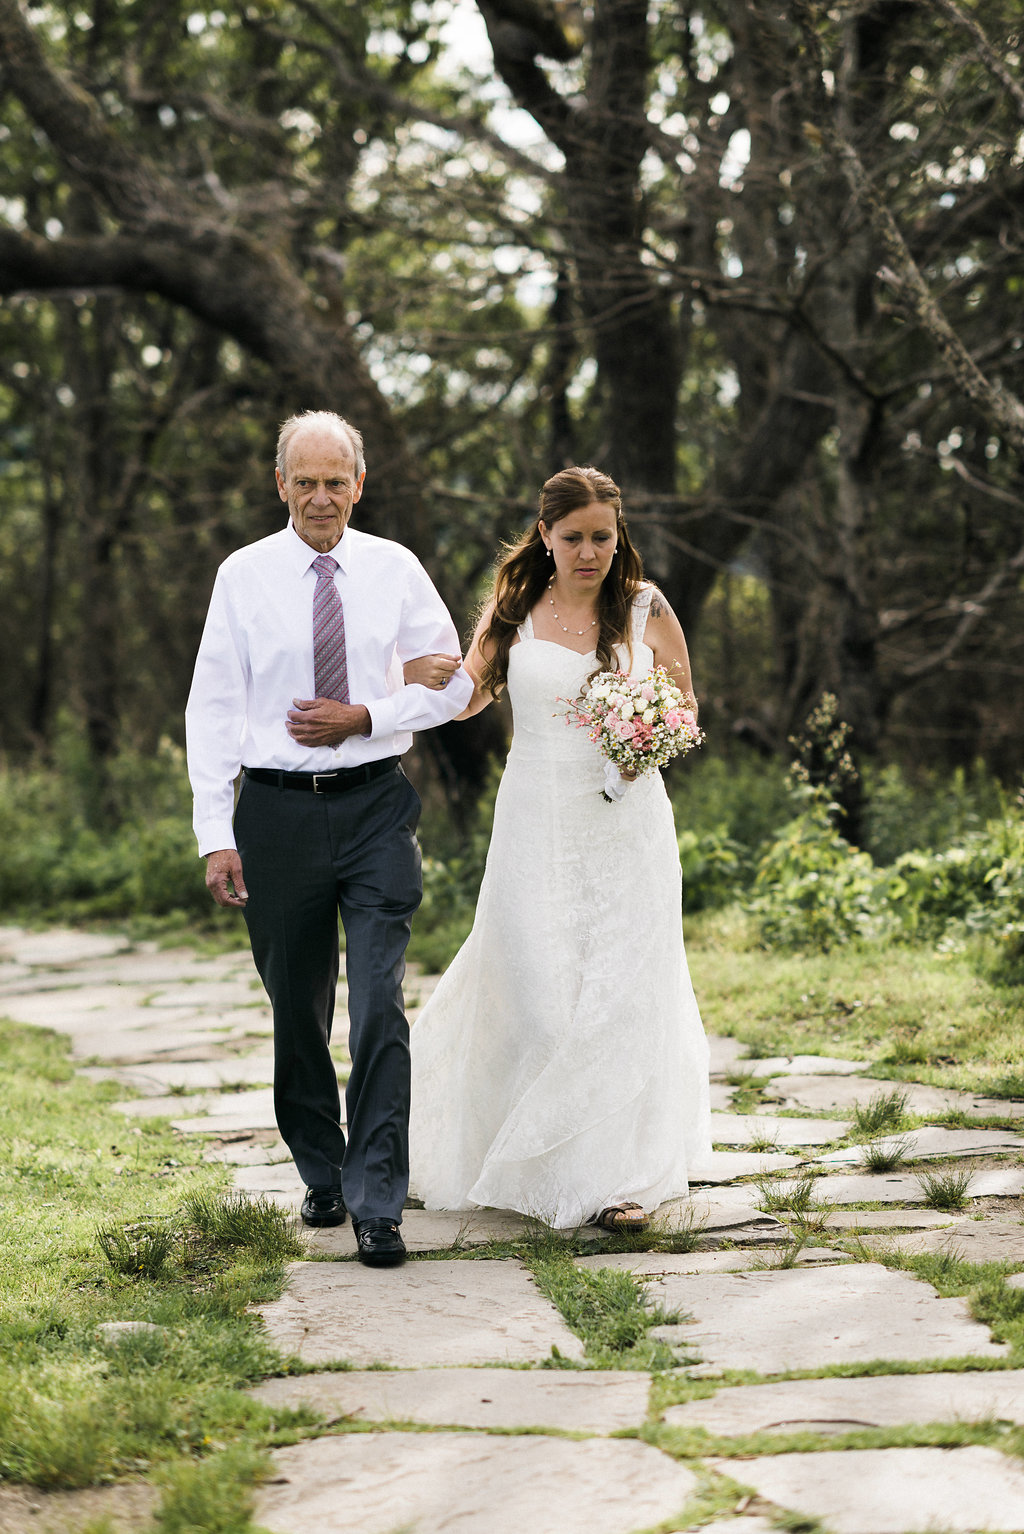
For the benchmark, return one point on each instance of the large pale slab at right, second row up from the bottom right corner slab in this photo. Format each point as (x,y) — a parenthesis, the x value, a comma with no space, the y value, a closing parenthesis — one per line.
(793,1318)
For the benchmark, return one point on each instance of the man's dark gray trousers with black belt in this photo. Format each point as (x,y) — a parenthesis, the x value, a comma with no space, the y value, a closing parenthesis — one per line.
(307,857)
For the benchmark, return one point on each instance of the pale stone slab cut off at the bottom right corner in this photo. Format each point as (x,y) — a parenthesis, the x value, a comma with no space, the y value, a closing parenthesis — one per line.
(893,1490)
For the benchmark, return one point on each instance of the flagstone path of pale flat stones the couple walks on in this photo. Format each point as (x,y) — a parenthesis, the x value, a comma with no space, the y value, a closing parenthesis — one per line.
(523,1432)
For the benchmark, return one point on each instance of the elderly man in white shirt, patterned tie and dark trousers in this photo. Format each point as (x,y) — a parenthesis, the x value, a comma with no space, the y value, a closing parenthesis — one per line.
(300,688)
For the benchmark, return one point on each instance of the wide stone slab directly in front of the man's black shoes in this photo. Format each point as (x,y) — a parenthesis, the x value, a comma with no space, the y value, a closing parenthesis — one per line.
(419,1315)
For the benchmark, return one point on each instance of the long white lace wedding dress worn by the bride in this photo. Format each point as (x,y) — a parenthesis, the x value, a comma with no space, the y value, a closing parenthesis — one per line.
(560,1065)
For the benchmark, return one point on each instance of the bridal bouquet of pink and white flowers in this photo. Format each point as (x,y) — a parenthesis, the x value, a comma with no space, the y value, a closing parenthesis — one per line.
(635,725)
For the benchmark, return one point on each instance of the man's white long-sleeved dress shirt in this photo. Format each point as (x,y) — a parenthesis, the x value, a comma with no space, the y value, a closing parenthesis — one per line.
(257,659)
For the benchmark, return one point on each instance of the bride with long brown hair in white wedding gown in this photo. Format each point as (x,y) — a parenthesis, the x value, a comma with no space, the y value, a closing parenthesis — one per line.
(560,1067)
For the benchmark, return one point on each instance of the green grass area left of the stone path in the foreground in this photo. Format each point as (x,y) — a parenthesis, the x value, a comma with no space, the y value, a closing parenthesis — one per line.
(103,1223)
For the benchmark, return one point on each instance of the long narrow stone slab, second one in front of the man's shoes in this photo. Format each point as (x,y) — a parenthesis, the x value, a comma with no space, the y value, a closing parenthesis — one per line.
(609,1401)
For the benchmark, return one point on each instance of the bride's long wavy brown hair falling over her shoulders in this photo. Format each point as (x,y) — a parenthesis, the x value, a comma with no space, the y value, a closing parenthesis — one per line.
(523,573)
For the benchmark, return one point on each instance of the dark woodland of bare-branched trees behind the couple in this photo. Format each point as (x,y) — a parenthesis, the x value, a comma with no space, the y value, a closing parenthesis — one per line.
(761,262)
